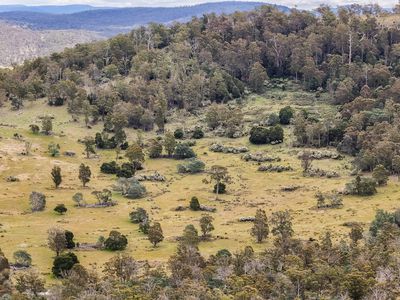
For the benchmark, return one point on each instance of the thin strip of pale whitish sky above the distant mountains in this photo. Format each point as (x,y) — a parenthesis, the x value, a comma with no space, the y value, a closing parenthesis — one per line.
(171,3)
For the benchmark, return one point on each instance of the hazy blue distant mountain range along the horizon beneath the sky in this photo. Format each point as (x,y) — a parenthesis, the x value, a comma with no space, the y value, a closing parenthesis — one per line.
(110,21)
